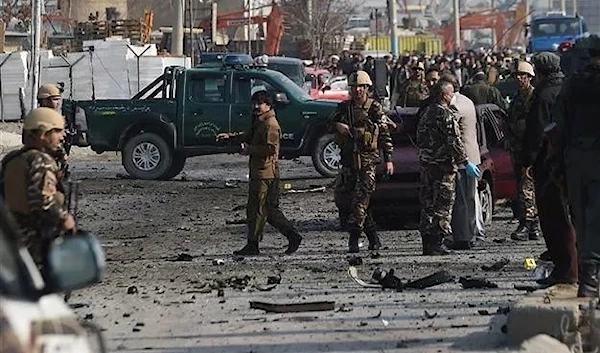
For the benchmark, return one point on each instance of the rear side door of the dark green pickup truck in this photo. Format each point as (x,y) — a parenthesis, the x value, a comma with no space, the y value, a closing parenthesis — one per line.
(207,108)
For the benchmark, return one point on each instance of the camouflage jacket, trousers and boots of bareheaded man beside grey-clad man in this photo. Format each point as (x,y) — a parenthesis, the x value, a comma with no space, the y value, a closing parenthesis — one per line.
(441,152)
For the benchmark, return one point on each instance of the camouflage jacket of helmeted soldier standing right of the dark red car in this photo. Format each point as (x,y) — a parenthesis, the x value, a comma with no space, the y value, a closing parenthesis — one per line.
(517,117)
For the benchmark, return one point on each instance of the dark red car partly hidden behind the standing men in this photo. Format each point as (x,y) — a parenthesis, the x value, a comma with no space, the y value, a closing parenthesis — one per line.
(400,192)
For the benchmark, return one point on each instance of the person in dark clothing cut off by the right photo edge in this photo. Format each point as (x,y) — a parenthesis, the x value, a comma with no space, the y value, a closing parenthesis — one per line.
(577,139)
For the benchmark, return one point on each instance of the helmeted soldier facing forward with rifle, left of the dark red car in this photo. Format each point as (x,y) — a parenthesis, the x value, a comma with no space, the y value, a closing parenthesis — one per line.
(360,141)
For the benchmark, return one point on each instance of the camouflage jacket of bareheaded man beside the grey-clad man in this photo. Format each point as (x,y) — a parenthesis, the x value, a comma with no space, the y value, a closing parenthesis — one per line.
(438,138)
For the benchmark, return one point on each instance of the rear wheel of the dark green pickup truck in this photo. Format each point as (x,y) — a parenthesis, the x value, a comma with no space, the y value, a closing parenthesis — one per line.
(147,156)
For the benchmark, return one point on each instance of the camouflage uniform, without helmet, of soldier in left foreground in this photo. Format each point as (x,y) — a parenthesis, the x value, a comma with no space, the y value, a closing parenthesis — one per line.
(31,189)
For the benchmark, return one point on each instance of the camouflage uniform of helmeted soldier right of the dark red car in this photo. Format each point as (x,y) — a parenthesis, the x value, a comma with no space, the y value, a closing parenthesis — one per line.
(515,130)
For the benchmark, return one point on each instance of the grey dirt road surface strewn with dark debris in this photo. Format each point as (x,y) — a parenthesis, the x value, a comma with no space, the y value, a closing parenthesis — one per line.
(171,283)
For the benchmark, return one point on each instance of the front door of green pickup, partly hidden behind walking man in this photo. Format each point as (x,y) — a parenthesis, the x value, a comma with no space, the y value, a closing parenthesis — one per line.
(245,84)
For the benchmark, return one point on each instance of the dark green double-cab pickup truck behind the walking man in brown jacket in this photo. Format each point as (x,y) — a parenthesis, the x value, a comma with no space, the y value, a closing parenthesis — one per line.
(181,112)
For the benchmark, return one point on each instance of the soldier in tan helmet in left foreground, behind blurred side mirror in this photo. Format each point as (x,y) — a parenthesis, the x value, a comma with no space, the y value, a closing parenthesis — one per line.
(31,186)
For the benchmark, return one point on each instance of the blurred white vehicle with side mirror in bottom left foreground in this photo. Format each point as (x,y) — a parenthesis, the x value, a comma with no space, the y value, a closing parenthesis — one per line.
(33,318)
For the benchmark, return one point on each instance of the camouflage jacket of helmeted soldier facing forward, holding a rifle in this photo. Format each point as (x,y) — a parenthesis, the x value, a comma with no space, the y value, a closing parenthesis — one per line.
(370,129)
